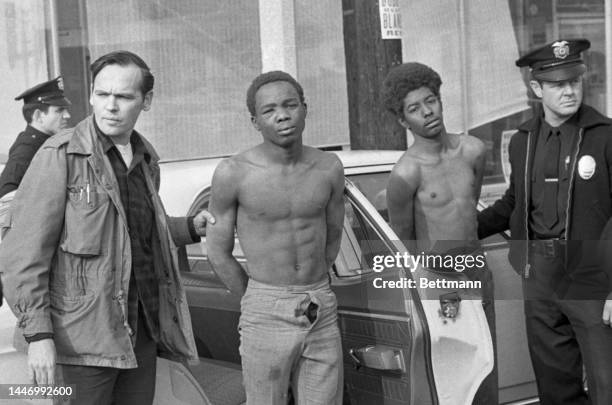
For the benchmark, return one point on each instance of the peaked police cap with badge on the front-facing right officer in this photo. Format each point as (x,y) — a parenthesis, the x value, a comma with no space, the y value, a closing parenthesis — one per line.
(557,61)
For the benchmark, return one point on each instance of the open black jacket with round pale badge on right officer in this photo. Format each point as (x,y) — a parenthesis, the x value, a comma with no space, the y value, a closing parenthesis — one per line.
(589,205)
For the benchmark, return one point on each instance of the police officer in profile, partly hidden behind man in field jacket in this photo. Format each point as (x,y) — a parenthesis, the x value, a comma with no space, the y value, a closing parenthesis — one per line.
(45,110)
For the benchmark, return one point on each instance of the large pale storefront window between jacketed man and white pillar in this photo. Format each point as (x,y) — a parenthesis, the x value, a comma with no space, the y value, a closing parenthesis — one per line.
(203,54)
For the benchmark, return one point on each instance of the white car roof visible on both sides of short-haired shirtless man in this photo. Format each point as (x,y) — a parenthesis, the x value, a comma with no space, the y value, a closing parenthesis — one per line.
(183,180)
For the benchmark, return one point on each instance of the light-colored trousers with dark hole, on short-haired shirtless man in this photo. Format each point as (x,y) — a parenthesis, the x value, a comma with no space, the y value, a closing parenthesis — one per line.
(289,336)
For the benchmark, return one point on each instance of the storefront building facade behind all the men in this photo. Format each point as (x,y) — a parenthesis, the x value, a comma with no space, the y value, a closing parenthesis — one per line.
(204,54)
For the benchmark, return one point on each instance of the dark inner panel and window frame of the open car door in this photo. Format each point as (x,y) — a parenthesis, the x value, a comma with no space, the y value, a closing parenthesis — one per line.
(384,331)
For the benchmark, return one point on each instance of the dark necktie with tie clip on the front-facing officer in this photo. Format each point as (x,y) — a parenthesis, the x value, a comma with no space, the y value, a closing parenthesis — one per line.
(551,178)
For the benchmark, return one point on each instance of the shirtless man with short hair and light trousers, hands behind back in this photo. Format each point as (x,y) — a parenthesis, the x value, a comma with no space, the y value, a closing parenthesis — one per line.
(285,201)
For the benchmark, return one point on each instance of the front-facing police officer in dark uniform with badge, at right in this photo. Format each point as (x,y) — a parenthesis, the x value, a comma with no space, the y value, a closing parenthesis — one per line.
(556,207)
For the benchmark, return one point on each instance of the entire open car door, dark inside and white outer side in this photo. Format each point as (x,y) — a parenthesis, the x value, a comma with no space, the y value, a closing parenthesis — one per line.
(402,345)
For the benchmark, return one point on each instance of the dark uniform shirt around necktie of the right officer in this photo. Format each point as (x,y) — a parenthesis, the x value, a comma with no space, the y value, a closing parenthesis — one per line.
(568,137)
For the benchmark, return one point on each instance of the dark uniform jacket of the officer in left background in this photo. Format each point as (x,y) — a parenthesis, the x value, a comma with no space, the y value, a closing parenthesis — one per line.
(20,156)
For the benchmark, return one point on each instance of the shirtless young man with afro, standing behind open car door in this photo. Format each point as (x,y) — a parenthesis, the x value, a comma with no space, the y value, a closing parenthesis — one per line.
(434,187)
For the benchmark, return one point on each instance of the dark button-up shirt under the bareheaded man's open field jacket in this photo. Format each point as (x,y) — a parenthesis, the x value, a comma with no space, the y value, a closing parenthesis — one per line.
(138,208)
